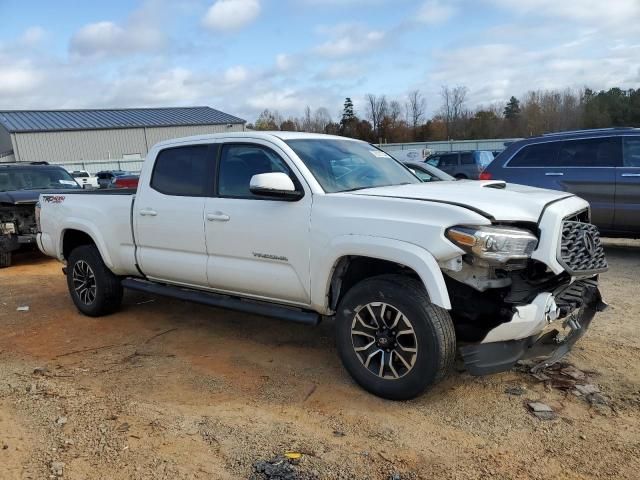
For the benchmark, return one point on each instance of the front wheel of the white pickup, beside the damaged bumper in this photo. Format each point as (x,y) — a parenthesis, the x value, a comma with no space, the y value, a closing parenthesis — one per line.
(392,340)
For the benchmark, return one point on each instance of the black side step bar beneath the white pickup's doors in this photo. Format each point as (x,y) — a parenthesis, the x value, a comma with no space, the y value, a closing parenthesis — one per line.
(225,301)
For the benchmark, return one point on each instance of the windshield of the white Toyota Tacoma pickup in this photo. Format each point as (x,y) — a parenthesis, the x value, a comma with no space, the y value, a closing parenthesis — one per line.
(347,165)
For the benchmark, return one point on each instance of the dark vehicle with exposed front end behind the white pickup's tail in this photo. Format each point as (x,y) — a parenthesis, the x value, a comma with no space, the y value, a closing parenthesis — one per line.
(20,187)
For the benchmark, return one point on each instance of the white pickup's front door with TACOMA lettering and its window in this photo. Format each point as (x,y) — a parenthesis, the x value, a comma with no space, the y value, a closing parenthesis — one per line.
(257,246)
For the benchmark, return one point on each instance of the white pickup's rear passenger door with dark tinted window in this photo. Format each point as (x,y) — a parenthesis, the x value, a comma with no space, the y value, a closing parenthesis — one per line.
(169,216)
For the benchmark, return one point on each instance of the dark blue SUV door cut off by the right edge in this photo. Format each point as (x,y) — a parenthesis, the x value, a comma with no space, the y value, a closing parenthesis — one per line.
(627,216)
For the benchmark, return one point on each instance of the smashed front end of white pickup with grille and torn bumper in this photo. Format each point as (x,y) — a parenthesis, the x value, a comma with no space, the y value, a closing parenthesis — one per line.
(508,306)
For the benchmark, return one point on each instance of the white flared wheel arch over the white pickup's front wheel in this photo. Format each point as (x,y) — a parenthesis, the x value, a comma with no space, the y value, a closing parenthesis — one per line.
(407,254)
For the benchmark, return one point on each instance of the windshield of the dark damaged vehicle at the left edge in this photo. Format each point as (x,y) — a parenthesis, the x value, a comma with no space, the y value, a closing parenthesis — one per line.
(35,179)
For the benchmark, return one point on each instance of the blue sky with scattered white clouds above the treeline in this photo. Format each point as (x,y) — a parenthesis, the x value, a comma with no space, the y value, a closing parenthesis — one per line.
(242,56)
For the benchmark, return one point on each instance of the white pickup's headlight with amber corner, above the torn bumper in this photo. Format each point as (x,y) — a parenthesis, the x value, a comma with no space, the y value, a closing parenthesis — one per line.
(496,245)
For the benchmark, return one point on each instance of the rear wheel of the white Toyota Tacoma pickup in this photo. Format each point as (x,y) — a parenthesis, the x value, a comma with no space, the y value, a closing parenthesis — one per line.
(94,289)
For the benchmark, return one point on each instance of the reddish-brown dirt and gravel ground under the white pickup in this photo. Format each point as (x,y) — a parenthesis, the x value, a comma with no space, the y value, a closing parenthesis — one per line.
(170,390)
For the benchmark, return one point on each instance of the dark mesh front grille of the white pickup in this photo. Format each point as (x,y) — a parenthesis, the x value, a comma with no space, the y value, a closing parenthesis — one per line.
(581,251)
